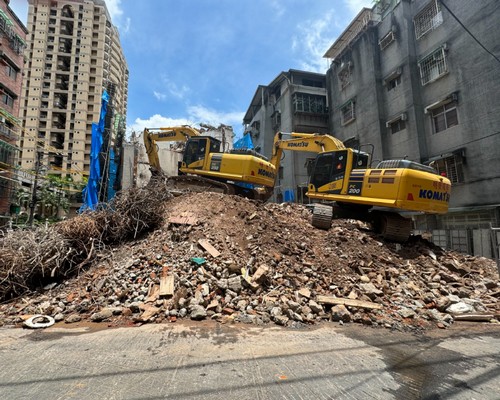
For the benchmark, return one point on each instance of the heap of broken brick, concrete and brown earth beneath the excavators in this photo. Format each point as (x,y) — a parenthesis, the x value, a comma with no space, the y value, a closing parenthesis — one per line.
(232,259)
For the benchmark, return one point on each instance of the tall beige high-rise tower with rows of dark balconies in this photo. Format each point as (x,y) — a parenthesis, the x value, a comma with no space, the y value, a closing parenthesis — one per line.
(73,55)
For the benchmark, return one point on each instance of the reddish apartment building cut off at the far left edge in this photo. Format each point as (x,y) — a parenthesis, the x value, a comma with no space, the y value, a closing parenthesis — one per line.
(12,45)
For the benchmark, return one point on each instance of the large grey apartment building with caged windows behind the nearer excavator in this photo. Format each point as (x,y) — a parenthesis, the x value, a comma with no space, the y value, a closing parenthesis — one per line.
(420,80)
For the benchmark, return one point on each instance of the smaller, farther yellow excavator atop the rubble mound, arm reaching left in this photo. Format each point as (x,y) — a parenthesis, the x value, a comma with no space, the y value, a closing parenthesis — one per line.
(205,167)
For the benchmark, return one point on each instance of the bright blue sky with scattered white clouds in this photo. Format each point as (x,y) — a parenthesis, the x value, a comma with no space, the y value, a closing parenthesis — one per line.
(200,61)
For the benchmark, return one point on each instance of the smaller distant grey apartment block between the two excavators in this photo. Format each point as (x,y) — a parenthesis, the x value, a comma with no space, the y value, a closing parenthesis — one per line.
(295,101)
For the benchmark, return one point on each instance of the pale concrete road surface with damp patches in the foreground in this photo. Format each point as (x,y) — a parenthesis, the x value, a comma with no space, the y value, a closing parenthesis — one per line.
(192,360)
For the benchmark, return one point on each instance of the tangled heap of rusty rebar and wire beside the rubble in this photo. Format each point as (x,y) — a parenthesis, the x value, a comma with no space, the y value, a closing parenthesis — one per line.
(29,257)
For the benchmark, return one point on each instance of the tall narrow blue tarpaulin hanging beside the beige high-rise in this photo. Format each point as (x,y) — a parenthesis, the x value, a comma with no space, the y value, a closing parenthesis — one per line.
(90,192)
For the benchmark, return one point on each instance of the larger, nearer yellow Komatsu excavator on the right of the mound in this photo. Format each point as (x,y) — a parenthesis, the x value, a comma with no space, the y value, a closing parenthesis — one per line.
(343,185)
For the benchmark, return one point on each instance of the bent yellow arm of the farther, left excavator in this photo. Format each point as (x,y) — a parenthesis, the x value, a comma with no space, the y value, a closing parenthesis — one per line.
(168,134)
